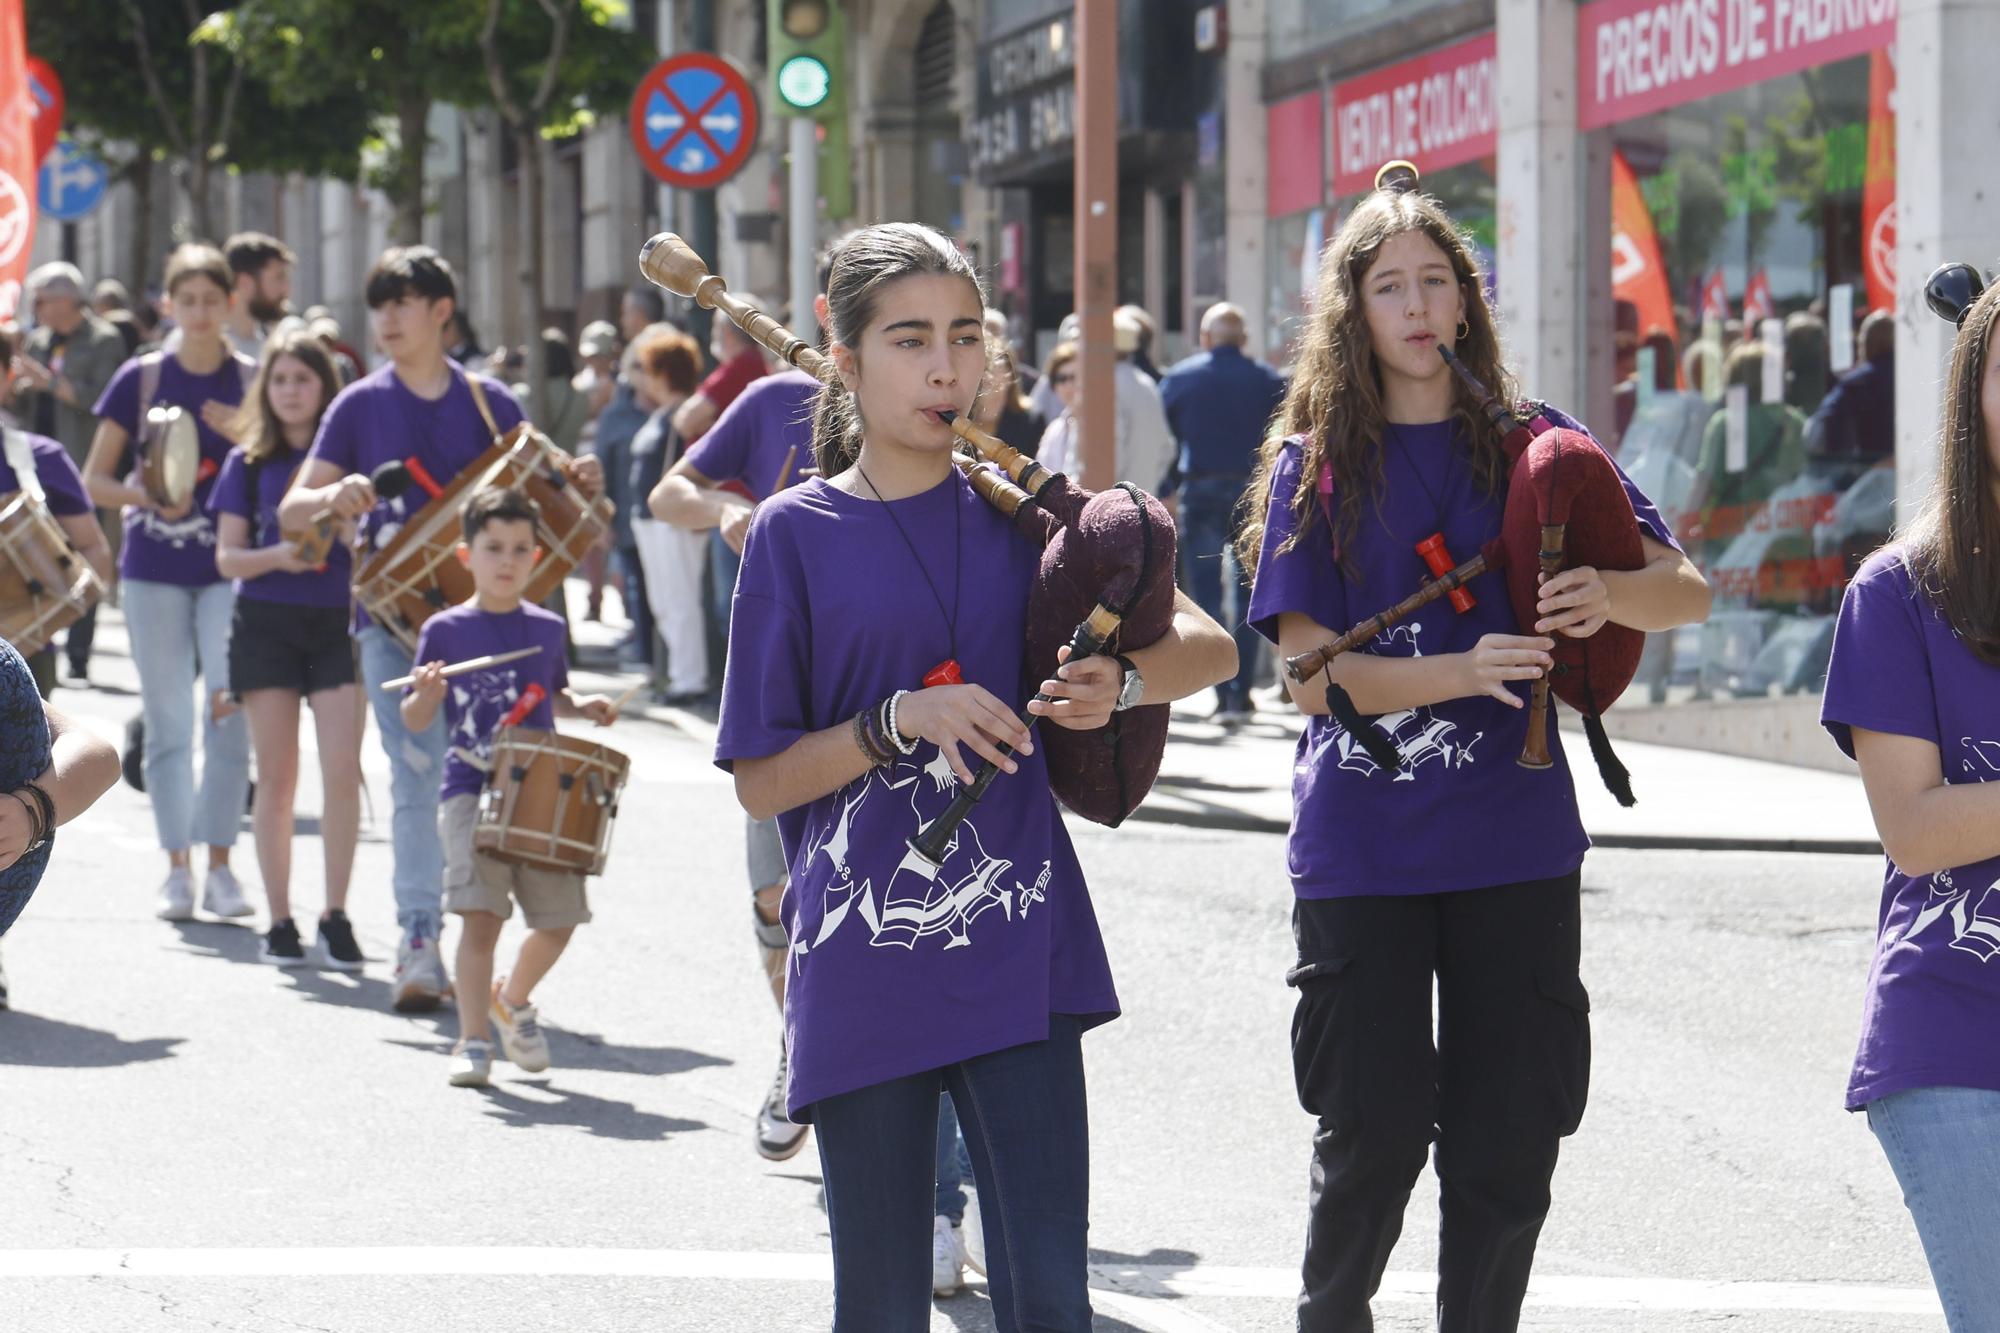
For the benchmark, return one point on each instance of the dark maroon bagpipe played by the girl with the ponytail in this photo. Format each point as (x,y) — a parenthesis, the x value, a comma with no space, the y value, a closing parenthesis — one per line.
(1105,581)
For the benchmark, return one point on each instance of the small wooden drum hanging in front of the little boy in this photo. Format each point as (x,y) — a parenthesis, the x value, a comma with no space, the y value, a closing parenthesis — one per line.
(551,800)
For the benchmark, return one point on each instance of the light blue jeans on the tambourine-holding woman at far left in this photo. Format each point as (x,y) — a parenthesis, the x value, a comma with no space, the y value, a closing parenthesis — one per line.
(173,631)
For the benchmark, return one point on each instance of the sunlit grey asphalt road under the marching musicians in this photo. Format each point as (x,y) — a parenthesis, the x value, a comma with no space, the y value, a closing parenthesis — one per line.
(195,1140)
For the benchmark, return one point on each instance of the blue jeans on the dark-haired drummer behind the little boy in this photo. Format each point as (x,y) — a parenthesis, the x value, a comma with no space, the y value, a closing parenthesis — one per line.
(415,776)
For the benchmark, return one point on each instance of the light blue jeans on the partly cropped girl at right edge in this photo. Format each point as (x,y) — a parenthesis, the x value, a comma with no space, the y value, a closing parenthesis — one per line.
(1945,1148)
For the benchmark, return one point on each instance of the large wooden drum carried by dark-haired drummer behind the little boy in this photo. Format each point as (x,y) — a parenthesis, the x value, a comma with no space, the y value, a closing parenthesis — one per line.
(419,573)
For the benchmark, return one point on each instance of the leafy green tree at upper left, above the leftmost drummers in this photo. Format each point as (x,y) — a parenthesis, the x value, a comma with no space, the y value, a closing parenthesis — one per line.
(149,77)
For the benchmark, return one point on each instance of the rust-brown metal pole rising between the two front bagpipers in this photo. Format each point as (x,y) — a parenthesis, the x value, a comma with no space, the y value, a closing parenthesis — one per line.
(1097,235)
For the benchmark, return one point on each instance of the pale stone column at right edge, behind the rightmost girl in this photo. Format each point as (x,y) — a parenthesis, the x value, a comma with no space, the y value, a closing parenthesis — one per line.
(1947,205)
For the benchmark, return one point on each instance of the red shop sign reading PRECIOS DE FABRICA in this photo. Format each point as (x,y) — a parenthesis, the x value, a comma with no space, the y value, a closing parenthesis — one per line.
(1637,57)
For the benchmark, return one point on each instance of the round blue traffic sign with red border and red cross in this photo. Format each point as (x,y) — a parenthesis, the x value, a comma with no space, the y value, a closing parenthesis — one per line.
(695,121)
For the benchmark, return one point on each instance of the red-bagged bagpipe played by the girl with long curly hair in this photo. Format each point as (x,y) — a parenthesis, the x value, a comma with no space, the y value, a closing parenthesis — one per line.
(1565,507)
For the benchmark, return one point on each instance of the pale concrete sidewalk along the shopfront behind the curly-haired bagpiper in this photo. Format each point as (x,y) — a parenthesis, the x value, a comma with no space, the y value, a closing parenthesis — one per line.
(1687,800)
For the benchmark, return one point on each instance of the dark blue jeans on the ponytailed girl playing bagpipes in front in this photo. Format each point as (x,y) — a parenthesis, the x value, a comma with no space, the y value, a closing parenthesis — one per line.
(1027,1126)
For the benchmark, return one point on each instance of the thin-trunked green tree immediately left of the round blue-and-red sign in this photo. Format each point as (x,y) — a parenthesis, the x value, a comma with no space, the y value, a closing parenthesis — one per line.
(551,69)
